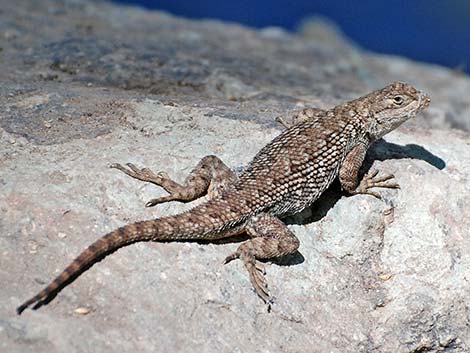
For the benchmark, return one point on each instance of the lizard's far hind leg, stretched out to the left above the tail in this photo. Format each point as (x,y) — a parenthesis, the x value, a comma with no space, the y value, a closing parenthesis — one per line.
(210,176)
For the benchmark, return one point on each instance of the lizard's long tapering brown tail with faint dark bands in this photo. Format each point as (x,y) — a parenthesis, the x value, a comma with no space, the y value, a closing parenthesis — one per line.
(185,226)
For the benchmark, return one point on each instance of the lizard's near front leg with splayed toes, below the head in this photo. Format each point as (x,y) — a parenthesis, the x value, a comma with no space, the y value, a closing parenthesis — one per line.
(349,170)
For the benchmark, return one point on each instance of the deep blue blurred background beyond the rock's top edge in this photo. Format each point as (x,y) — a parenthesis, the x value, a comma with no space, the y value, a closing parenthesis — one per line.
(436,31)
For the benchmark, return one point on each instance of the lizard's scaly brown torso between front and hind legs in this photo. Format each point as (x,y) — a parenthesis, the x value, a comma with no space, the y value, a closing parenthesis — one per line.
(294,169)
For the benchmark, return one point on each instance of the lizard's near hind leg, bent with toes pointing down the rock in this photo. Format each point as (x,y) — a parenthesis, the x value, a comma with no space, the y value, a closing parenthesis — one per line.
(270,239)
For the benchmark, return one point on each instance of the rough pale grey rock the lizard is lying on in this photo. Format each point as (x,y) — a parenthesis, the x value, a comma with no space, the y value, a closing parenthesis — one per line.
(85,84)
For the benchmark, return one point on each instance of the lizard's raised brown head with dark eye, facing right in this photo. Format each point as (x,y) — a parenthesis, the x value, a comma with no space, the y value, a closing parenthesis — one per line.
(393,105)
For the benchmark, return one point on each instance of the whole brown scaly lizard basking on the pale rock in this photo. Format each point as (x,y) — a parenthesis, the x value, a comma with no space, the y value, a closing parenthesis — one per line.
(285,177)
